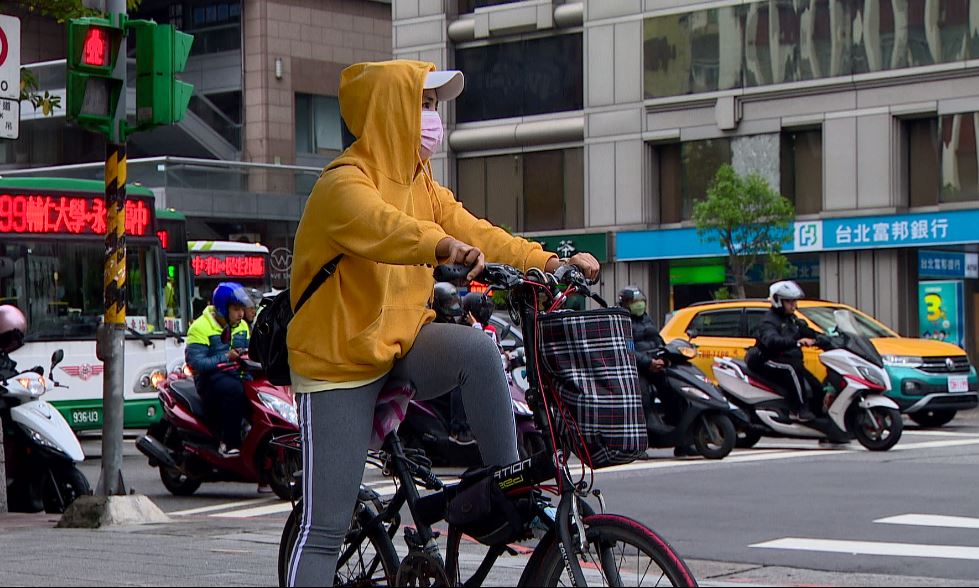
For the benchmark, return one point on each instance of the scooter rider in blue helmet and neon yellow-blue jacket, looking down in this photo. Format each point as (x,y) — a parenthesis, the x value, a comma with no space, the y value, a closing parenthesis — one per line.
(214,344)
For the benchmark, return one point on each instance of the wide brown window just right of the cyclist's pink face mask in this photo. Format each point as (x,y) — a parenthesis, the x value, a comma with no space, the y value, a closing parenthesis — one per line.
(536,191)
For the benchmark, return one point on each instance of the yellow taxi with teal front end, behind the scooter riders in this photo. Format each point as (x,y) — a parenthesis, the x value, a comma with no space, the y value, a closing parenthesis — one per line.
(931,380)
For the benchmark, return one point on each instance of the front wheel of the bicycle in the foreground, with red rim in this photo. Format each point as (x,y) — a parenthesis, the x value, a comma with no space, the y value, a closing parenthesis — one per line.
(620,552)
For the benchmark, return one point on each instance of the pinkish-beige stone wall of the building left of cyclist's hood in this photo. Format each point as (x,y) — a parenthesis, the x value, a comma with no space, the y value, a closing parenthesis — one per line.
(315,40)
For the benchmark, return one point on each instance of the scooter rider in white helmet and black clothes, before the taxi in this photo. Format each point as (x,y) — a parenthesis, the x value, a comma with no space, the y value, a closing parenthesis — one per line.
(777,353)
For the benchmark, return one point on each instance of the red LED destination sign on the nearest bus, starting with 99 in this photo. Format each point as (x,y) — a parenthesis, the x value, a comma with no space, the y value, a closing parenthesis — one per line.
(50,214)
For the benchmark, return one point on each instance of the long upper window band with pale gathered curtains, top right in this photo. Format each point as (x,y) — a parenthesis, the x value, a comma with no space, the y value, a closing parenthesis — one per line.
(782,41)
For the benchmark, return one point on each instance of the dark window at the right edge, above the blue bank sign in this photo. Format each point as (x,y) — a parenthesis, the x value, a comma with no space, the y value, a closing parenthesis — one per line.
(942,161)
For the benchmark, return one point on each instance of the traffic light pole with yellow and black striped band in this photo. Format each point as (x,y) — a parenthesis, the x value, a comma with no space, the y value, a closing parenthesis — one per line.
(112,332)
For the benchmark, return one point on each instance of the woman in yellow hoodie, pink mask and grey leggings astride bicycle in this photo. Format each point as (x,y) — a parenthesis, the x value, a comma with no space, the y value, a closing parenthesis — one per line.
(378,205)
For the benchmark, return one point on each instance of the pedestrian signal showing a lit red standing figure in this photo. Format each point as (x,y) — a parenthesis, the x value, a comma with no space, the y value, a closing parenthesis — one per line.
(93,91)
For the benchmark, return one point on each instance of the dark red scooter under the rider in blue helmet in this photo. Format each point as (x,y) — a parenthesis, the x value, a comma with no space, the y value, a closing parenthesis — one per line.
(184,443)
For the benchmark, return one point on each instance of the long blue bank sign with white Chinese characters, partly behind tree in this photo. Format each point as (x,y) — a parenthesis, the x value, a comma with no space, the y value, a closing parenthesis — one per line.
(867,232)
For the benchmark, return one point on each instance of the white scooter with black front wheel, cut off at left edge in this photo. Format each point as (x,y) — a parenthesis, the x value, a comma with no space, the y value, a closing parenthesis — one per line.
(41,450)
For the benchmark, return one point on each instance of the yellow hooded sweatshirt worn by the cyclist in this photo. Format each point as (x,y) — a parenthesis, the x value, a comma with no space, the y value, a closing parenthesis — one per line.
(377,205)
